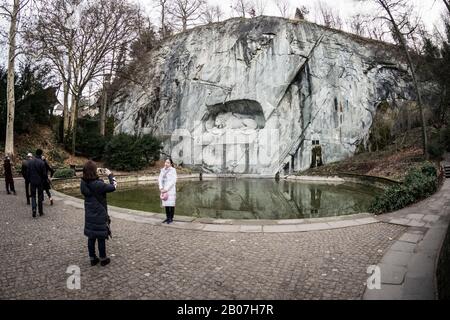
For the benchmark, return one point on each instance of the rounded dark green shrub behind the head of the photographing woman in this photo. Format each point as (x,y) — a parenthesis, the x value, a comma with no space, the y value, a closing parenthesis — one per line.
(124,153)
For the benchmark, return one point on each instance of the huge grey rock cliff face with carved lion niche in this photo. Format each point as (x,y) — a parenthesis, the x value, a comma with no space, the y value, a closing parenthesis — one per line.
(260,95)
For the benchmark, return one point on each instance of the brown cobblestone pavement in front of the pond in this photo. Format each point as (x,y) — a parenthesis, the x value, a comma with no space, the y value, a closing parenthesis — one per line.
(157,262)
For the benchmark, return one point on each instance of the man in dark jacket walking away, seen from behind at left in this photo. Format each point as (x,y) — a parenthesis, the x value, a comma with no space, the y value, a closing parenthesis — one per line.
(36,173)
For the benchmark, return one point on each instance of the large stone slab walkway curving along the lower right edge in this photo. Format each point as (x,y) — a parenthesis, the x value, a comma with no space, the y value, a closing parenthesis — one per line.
(408,268)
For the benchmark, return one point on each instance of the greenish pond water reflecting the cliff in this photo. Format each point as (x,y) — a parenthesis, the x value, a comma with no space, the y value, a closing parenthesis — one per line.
(250,198)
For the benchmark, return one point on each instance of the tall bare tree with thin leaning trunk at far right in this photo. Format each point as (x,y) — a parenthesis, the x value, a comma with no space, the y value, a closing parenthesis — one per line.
(398,13)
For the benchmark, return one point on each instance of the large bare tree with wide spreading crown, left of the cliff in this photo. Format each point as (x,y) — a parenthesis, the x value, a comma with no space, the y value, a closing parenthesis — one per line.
(88,46)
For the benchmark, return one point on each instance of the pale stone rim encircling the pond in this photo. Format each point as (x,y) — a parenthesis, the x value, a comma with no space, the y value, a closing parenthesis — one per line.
(224,225)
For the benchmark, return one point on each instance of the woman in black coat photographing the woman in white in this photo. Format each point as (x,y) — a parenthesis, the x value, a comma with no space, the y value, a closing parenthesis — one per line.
(97,220)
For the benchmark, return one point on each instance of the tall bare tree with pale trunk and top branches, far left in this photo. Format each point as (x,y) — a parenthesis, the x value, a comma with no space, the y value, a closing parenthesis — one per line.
(13,15)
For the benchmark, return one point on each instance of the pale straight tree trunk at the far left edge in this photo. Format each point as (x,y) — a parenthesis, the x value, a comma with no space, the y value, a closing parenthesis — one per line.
(9,141)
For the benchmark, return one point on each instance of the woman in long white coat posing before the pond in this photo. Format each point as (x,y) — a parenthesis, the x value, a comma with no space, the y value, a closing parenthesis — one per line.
(167,185)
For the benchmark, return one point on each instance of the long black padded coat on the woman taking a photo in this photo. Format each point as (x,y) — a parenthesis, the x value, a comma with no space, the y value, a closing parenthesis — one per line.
(95,212)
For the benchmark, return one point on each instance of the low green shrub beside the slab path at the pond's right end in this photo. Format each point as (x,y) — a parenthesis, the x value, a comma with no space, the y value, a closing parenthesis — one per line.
(419,183)
